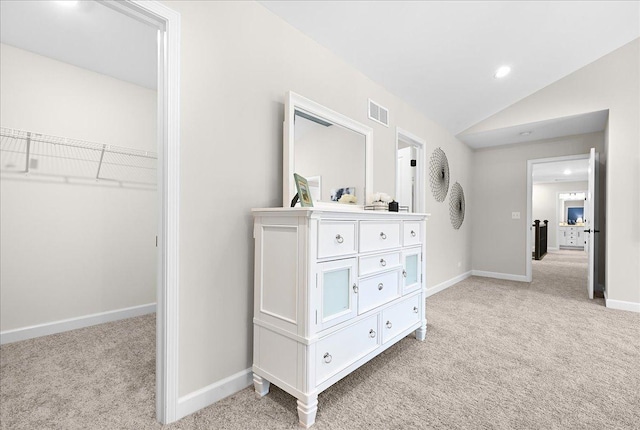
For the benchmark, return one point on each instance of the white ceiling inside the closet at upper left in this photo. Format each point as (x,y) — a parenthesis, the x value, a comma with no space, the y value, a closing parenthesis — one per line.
(87,35)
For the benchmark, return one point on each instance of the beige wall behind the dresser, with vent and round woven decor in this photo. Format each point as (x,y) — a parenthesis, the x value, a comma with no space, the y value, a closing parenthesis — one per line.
(238,61)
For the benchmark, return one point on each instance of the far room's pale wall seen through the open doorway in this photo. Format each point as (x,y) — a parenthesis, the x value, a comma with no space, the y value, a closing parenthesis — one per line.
(545,205)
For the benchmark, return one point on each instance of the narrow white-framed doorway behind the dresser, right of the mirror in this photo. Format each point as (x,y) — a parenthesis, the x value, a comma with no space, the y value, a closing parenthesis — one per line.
(410,165)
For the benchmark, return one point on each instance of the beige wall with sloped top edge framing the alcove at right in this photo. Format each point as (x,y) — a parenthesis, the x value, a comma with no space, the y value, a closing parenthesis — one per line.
(612,82)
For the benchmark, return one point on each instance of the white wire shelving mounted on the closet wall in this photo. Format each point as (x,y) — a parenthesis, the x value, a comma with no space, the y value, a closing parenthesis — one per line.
(26,152)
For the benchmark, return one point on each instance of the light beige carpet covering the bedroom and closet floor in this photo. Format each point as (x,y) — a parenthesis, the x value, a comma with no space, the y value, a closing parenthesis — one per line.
(498,355)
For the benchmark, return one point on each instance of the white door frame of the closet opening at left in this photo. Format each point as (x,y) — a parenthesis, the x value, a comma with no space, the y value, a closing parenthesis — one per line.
(167,21)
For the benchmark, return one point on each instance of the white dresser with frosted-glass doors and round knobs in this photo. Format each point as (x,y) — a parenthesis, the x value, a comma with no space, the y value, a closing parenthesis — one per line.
(333,289)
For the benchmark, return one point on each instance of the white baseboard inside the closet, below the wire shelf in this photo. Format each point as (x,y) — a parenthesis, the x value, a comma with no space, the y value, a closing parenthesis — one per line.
(54,327)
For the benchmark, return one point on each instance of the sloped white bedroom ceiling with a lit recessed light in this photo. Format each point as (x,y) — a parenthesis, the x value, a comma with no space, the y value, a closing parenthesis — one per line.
(440,56)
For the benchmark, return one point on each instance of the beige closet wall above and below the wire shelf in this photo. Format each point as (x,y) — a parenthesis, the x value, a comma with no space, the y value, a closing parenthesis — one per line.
(72,248)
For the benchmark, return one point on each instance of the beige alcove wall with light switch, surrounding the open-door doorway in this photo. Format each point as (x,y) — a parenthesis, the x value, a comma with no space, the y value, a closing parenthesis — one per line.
(500,188)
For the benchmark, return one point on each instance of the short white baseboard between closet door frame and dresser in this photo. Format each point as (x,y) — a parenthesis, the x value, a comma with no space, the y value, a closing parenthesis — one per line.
(210,394)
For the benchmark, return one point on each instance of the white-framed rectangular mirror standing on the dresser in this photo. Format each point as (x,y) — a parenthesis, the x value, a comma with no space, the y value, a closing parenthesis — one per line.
(333,152)
